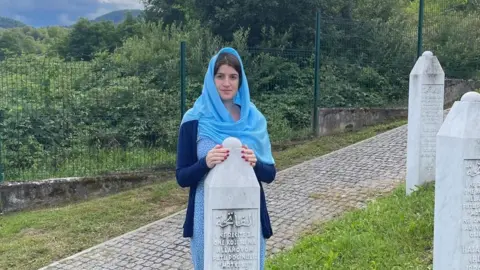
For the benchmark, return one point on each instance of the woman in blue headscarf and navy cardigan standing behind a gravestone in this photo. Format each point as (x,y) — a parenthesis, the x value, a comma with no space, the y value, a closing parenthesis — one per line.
(222,110)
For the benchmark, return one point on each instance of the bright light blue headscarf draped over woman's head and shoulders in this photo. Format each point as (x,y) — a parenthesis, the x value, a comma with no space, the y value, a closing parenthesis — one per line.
(216,123)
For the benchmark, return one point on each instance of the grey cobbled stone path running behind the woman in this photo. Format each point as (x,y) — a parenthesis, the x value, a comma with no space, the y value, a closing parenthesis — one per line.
(315,190)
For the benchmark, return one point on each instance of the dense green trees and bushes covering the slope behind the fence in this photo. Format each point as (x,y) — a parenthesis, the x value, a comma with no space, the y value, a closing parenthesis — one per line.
(98,87)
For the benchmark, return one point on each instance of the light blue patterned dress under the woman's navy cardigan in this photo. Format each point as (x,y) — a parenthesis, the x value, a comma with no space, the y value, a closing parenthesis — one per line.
(196,242)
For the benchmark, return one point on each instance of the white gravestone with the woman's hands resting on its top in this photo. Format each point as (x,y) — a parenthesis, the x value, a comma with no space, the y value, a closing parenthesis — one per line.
(232,213)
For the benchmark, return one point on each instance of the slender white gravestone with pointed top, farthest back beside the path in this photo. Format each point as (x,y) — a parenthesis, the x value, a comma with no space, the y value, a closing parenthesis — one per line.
(425,116)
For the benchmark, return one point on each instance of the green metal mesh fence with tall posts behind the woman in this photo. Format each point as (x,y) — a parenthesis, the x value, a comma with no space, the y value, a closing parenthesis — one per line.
(62,119)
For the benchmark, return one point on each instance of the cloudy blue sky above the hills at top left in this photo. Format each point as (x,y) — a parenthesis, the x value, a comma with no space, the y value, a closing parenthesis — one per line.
(40,13)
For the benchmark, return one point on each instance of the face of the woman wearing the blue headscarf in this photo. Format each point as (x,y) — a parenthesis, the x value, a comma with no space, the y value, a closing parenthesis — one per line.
(226,81)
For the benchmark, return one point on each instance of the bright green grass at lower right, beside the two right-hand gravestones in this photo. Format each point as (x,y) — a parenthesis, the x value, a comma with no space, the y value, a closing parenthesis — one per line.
(392,232)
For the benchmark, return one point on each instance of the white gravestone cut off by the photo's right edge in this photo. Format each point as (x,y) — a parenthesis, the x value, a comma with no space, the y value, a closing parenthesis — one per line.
(457,188)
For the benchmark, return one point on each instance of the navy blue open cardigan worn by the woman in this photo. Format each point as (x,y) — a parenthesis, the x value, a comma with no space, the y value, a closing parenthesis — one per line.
(190,171)
